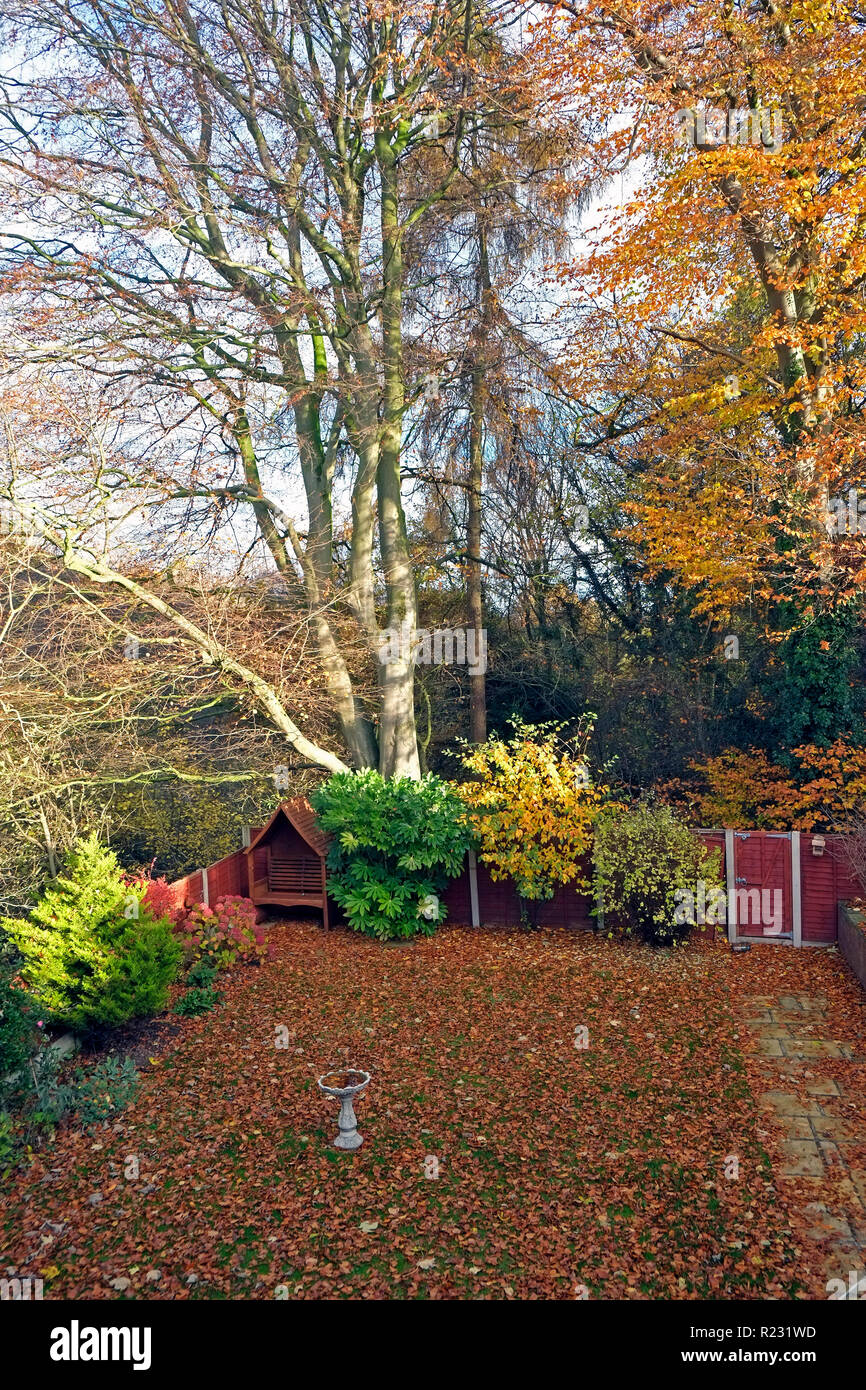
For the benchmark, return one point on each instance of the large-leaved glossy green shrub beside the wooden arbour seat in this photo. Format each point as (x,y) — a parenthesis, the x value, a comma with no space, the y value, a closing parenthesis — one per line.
(395,846)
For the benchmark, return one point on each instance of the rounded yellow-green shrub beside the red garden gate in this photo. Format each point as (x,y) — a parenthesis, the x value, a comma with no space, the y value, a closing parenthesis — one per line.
(648,864)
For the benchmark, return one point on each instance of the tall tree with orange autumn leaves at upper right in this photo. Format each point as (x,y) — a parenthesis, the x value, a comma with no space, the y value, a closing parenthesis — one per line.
(721,344)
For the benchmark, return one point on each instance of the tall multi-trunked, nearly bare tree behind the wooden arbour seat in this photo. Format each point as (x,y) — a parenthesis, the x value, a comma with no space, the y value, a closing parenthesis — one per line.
(219,197)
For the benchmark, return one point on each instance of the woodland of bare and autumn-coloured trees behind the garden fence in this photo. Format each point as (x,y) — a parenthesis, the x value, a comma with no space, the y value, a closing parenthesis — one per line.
(330,318)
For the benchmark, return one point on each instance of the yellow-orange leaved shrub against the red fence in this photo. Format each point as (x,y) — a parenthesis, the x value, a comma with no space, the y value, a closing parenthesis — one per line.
(533,804)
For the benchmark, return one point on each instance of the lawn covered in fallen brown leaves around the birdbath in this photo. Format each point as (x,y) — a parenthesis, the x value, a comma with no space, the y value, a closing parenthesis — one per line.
(558,1167)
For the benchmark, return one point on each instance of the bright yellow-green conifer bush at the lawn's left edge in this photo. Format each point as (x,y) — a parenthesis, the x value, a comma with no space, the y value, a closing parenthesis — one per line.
(92,953)
